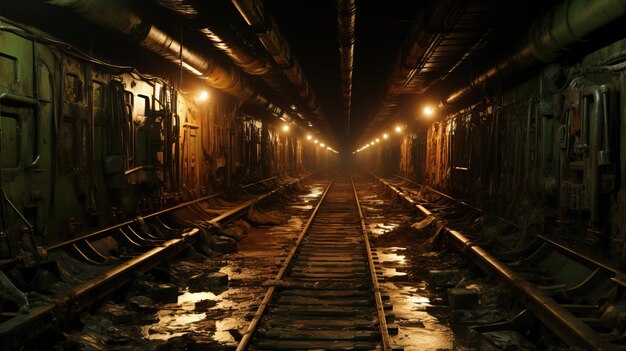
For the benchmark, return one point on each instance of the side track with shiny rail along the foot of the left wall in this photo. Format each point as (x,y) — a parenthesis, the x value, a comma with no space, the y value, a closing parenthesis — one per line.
(90,268)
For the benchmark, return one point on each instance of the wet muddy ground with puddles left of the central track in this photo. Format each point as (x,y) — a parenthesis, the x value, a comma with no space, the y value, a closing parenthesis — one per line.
(201,302)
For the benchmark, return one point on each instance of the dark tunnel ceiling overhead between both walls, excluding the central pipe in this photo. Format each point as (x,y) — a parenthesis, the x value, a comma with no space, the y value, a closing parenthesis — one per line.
(406,52)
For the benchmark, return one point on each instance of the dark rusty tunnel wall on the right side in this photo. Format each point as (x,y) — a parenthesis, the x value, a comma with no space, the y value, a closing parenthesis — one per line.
(551,146)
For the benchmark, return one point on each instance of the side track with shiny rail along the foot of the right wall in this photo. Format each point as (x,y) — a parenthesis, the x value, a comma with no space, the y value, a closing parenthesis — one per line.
(580,299)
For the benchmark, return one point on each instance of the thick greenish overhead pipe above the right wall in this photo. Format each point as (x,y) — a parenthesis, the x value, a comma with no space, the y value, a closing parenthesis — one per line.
(549,35)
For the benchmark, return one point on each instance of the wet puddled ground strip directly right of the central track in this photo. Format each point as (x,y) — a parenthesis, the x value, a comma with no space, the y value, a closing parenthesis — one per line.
(422,325)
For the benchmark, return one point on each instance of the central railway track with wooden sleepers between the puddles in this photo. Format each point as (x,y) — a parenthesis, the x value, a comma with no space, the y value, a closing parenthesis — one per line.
(326,294)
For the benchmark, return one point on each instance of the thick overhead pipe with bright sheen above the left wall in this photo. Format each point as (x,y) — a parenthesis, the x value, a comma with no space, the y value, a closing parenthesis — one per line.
(116,14)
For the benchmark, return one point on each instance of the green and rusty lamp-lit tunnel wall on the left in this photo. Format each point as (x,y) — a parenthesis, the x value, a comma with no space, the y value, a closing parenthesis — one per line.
(85,144)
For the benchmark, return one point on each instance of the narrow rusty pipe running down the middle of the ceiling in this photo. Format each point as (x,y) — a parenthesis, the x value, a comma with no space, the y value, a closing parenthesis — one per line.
(346,13)
